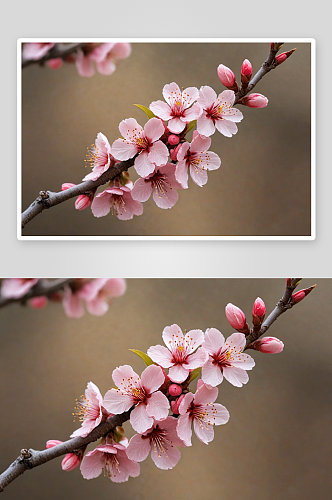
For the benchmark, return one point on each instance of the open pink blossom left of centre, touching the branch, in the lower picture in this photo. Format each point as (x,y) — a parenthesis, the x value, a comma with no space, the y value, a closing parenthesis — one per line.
(149,403)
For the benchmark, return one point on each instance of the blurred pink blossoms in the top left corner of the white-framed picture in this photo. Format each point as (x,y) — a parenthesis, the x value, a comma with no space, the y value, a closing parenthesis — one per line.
(104,56)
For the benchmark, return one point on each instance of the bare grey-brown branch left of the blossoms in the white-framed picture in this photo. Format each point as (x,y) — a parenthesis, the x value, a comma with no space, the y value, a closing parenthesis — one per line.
(48,199)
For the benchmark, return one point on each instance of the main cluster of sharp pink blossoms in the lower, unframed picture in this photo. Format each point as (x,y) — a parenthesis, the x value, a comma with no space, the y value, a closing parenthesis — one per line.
(164,411)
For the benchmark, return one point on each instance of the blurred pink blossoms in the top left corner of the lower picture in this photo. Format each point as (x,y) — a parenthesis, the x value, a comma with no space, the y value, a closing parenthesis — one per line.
(96,294)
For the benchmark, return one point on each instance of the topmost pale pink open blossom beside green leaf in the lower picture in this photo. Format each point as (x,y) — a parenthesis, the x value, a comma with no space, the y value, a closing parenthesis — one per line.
(179,356)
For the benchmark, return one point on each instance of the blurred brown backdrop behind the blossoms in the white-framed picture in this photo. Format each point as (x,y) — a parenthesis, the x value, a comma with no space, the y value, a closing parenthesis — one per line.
(262,187)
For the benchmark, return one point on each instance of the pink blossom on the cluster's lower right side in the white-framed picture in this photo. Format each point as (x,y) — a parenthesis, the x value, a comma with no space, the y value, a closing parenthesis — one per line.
(198,159)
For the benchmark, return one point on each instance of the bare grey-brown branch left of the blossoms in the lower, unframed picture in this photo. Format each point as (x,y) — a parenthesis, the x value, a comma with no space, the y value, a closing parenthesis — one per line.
(32,458)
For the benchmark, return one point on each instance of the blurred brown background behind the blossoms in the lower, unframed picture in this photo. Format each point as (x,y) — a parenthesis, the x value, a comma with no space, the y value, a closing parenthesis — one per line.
(277,442)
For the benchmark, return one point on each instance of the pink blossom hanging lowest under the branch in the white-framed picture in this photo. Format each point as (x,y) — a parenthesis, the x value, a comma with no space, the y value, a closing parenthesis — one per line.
(118,200)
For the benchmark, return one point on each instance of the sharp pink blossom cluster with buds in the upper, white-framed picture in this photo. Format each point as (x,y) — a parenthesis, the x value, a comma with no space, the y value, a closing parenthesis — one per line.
(163,157)
